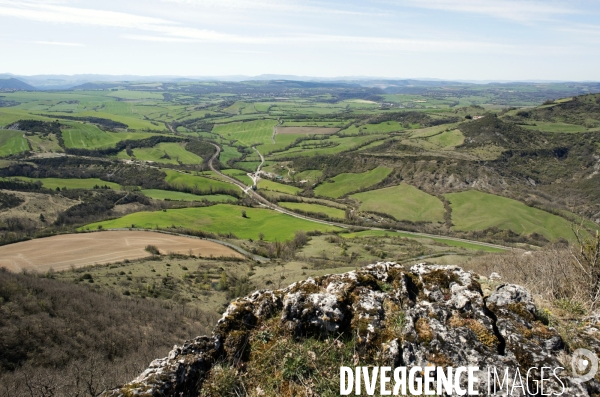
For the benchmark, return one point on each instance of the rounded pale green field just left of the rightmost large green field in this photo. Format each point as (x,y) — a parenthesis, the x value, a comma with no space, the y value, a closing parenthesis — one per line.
(403,202)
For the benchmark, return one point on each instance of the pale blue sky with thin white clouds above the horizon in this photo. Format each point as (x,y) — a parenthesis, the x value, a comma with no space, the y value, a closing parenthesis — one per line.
(444,39)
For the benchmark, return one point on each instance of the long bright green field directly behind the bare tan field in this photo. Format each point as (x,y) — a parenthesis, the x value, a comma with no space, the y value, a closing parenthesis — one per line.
(220,218)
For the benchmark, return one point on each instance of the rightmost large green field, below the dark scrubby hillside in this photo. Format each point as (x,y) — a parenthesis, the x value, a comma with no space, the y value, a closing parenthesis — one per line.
(473,210)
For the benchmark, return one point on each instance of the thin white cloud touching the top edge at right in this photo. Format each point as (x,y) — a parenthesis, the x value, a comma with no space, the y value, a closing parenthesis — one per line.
(516,10)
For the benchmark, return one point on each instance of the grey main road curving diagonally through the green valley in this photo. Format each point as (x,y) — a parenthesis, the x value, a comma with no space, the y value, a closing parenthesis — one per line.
(266,203)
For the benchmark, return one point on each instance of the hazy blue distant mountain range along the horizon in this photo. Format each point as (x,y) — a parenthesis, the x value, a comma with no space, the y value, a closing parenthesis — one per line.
(10,81)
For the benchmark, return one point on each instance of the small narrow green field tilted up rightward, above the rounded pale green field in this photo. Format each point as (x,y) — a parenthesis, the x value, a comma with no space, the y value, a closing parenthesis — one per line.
(345,183)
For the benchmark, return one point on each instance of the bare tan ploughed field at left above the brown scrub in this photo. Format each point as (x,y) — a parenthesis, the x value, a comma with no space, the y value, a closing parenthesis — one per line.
(62,252)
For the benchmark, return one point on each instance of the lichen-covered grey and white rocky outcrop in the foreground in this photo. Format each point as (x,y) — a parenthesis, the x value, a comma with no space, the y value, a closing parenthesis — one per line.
(422,316)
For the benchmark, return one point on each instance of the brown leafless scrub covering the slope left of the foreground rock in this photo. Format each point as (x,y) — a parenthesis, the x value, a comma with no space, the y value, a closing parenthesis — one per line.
(63,339)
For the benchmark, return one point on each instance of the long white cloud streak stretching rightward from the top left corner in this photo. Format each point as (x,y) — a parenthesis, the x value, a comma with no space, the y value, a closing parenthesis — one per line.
(163,30)
